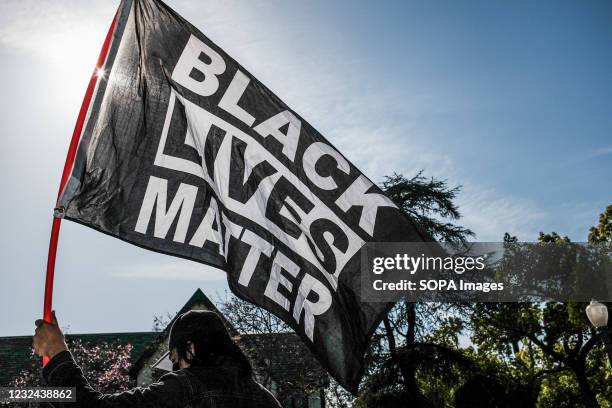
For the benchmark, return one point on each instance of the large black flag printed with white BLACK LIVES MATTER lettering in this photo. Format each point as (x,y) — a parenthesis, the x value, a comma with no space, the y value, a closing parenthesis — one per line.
(184,152)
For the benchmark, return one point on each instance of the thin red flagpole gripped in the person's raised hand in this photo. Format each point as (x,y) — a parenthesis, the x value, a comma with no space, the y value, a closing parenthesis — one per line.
(68,166)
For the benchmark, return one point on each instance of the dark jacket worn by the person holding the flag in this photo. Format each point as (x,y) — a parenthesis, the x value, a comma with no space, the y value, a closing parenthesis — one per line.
(222,386)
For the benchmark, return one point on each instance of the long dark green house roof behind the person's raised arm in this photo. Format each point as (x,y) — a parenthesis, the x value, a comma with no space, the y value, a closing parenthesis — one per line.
(15,351)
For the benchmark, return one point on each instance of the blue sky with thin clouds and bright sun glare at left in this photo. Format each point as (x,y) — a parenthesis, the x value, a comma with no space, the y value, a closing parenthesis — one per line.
(512,100)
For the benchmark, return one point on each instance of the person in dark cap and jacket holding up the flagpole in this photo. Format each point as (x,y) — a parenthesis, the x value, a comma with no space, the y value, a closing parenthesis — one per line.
(209,370)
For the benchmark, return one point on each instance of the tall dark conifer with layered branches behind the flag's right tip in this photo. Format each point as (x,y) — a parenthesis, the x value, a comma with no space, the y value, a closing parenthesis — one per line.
(404,358)
